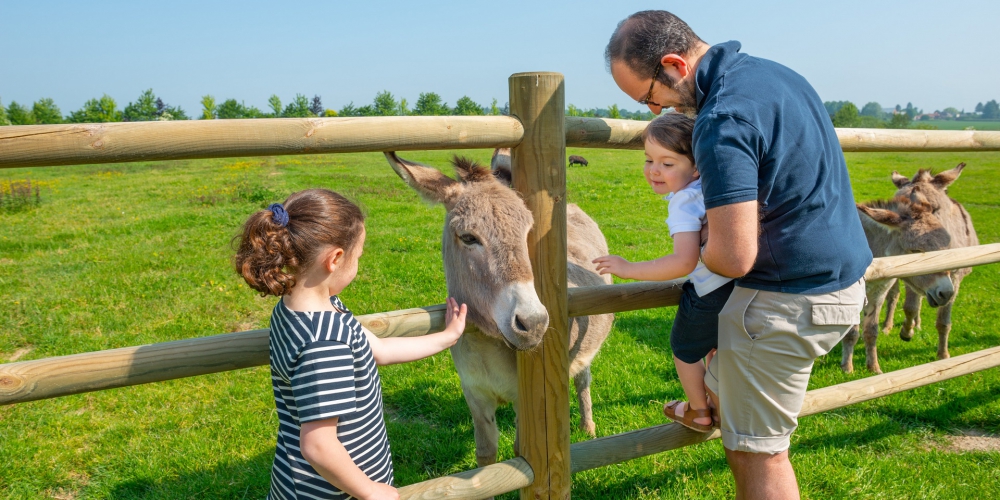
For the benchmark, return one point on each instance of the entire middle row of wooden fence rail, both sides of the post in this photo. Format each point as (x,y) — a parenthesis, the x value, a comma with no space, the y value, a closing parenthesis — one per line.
(64,375)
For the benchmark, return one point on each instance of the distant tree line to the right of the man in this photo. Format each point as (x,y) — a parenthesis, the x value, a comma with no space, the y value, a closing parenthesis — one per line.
(873,115)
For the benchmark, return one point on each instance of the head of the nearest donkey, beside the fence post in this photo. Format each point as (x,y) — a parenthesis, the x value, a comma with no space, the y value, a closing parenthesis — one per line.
(485,248)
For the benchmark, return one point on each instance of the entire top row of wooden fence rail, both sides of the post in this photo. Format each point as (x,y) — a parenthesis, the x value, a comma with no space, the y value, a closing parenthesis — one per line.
(90,143)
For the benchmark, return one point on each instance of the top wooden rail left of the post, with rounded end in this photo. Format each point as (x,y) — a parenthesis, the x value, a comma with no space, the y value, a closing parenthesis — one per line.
(86,143)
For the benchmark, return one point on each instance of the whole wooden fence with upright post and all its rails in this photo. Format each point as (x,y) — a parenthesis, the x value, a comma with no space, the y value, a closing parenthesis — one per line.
(539,134)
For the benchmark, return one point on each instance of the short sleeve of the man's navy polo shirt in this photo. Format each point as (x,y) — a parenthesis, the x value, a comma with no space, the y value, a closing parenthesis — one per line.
(727,152)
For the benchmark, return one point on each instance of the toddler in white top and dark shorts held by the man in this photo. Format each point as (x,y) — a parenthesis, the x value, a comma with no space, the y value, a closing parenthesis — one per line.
(670,170)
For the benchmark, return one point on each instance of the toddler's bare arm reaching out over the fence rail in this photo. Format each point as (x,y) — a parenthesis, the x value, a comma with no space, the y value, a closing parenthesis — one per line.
(678,264)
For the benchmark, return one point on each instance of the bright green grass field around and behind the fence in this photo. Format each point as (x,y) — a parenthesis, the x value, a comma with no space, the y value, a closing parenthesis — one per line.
(129,254)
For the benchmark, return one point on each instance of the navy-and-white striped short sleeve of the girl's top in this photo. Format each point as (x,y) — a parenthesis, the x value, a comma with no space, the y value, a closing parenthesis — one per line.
(322,381)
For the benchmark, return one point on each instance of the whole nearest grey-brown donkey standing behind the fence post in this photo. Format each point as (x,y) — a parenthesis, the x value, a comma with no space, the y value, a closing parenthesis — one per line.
(485,250)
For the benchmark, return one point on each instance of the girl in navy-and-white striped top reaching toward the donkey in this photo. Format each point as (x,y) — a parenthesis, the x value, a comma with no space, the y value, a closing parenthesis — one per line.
(332,441)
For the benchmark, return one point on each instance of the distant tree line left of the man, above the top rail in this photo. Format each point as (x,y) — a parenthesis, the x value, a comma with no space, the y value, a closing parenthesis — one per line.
(149,107)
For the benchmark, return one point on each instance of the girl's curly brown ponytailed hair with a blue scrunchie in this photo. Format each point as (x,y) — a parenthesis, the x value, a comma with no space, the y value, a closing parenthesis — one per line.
(275,243)
